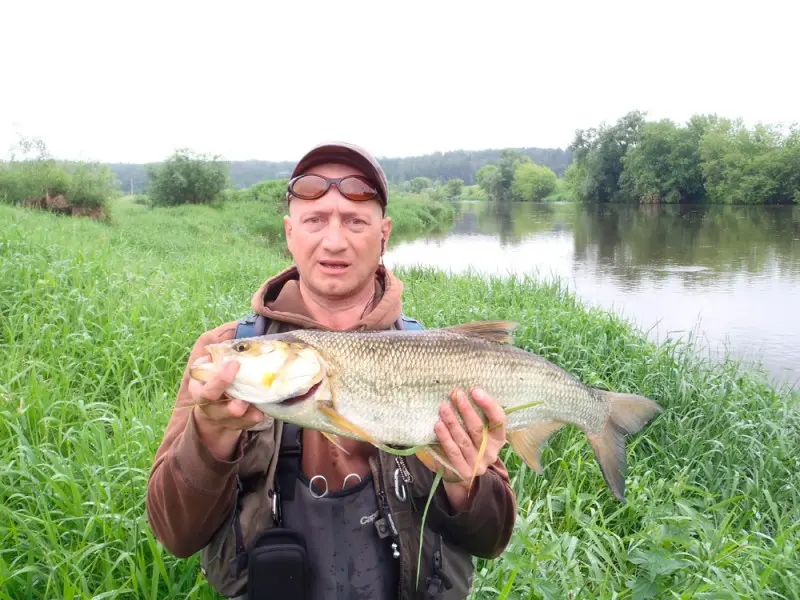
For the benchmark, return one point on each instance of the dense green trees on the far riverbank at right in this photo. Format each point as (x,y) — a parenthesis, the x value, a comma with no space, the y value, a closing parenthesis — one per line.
(709,159)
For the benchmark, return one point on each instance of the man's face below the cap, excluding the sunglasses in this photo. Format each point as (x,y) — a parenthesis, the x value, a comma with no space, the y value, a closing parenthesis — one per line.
(336,242)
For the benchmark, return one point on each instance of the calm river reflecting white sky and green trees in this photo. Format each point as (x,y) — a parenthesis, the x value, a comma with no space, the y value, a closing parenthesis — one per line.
(728,277)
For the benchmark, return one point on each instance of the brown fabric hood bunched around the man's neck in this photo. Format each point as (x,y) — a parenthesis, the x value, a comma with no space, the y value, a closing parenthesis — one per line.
(279,299)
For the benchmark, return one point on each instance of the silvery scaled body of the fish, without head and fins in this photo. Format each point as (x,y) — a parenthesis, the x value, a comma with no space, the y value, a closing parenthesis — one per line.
(392,383)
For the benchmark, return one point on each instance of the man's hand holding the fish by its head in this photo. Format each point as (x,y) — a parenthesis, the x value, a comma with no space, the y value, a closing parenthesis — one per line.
(221,419)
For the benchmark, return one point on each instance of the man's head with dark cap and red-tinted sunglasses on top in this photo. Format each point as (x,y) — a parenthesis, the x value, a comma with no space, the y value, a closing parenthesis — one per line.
(337,239)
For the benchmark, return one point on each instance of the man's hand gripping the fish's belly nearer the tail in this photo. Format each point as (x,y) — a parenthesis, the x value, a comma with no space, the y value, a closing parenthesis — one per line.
(461,443)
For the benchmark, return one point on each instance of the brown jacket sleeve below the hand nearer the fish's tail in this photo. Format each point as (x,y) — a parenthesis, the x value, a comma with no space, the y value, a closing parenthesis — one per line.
(485,526)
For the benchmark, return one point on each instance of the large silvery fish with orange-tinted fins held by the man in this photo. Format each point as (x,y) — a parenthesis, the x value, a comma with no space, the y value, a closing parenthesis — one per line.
(386,387)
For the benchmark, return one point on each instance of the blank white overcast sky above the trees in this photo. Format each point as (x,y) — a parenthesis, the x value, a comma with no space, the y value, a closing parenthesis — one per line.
(132,81)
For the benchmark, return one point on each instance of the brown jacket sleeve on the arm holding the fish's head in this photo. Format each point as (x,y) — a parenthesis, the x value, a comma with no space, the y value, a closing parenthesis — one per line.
(190,492)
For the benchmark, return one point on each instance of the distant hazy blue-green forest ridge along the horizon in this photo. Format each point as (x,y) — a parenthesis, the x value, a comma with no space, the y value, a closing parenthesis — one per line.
(439,166)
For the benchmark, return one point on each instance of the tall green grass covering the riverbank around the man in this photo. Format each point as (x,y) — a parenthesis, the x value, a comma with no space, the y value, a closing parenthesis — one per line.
(96,322)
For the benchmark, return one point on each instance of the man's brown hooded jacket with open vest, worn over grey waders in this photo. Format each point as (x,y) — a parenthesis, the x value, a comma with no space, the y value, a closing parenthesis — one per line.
(191,494)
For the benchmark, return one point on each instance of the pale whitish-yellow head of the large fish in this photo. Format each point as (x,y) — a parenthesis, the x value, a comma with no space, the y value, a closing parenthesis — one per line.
(270,371)
